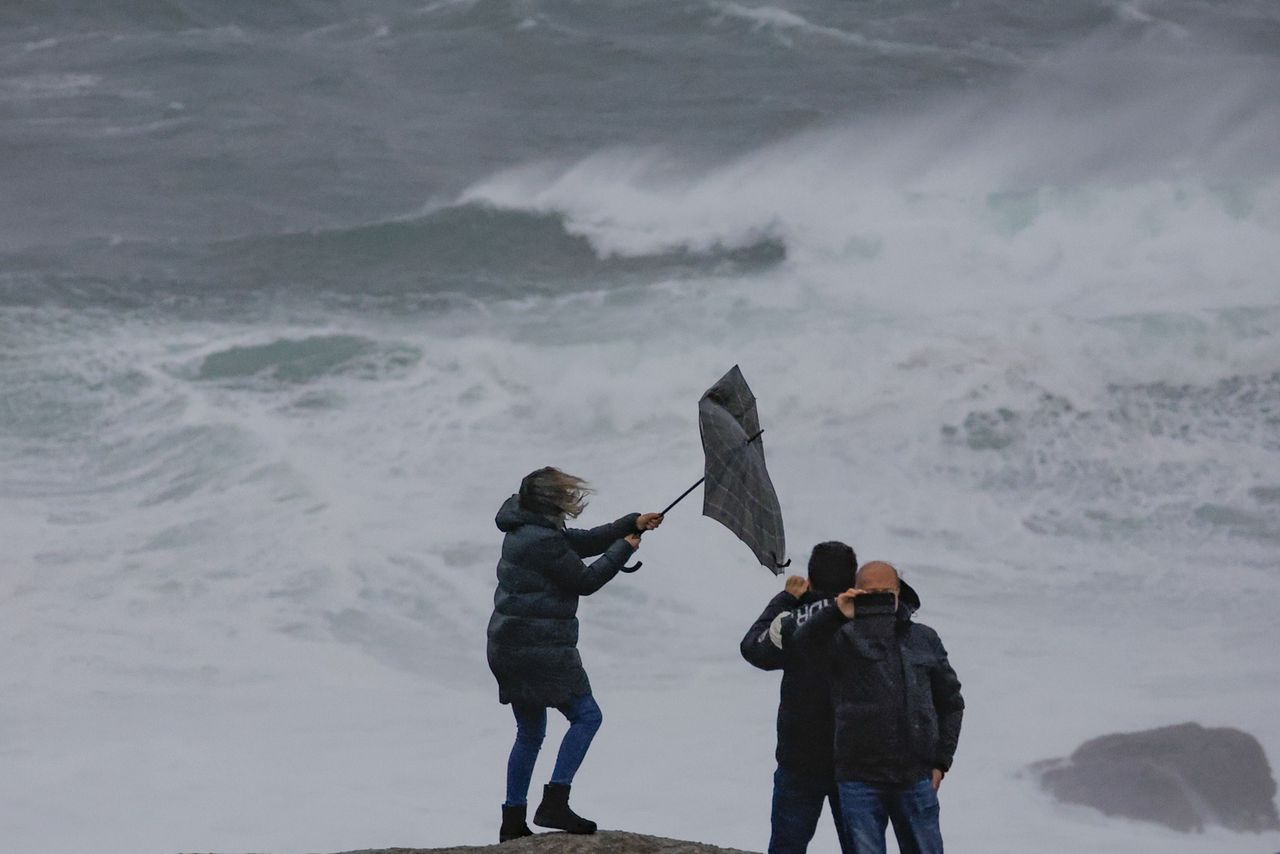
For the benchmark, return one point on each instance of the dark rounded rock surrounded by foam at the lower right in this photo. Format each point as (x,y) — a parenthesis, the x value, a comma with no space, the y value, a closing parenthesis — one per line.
(1183,777)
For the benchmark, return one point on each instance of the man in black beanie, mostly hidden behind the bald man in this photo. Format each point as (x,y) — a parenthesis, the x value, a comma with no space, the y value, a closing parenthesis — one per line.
(806,775)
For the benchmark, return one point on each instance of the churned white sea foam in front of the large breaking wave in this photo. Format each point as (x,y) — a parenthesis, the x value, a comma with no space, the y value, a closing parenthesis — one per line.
(284,586)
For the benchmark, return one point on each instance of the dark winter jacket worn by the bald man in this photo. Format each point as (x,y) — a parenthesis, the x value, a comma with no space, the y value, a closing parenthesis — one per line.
(897,701)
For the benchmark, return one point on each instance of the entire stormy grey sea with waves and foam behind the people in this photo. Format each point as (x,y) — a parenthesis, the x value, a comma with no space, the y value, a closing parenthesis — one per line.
(294,294)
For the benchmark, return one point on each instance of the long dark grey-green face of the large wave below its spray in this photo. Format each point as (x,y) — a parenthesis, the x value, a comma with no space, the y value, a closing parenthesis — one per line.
(452,255)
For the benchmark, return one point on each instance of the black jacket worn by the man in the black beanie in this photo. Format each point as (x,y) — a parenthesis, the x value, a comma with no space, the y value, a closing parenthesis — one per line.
(806,721)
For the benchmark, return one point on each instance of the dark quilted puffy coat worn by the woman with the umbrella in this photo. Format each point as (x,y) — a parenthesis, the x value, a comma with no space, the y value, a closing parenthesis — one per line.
(533,632)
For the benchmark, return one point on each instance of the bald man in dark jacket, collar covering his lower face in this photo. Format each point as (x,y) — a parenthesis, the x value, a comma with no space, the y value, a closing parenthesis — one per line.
(898,711)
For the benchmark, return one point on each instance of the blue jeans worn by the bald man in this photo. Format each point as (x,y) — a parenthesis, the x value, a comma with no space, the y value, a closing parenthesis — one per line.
(913,810)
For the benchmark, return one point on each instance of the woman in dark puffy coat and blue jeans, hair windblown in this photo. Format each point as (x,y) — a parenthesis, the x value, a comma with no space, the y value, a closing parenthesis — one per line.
(533,634)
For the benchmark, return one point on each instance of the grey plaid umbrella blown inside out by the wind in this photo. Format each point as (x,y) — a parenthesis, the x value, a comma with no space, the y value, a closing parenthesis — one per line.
(739,494)
